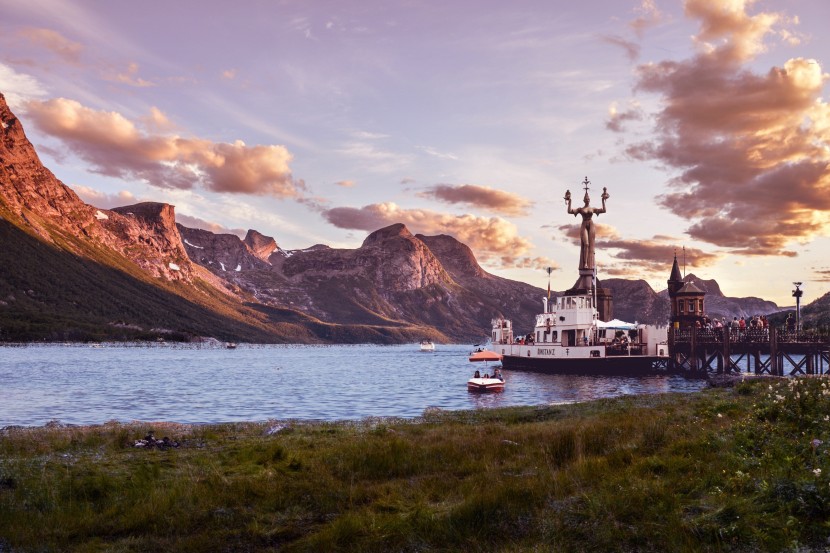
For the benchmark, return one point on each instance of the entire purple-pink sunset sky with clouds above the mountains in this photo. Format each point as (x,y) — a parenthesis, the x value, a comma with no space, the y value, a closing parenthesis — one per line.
(314,121)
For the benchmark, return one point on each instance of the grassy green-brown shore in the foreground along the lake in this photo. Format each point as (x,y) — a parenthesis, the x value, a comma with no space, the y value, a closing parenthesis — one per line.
(739,469)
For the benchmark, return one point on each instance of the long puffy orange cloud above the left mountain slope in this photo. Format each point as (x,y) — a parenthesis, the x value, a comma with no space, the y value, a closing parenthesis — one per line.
(116,147)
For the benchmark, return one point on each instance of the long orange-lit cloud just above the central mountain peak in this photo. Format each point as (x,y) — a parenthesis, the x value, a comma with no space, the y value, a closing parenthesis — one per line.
(494,239)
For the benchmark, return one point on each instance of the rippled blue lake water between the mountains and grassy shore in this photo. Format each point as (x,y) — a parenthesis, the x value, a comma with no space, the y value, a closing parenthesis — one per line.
(78,384)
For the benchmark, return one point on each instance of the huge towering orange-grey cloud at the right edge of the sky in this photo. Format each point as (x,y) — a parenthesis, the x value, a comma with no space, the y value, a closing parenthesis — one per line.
(752,150)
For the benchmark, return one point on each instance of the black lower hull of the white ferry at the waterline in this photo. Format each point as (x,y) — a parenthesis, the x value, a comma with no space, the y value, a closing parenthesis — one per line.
(606,366)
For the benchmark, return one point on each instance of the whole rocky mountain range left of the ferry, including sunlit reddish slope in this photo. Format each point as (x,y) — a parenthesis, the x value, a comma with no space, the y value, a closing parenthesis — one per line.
(71,271)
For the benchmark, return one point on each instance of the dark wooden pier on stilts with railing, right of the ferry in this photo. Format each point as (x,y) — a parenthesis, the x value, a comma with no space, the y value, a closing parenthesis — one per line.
(777,352)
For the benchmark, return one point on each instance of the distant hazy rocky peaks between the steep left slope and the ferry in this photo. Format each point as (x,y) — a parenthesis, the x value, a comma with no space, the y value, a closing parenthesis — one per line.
(393,278)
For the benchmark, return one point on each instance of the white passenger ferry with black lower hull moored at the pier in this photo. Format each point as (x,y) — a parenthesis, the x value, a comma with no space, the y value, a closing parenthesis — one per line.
(569,338)
